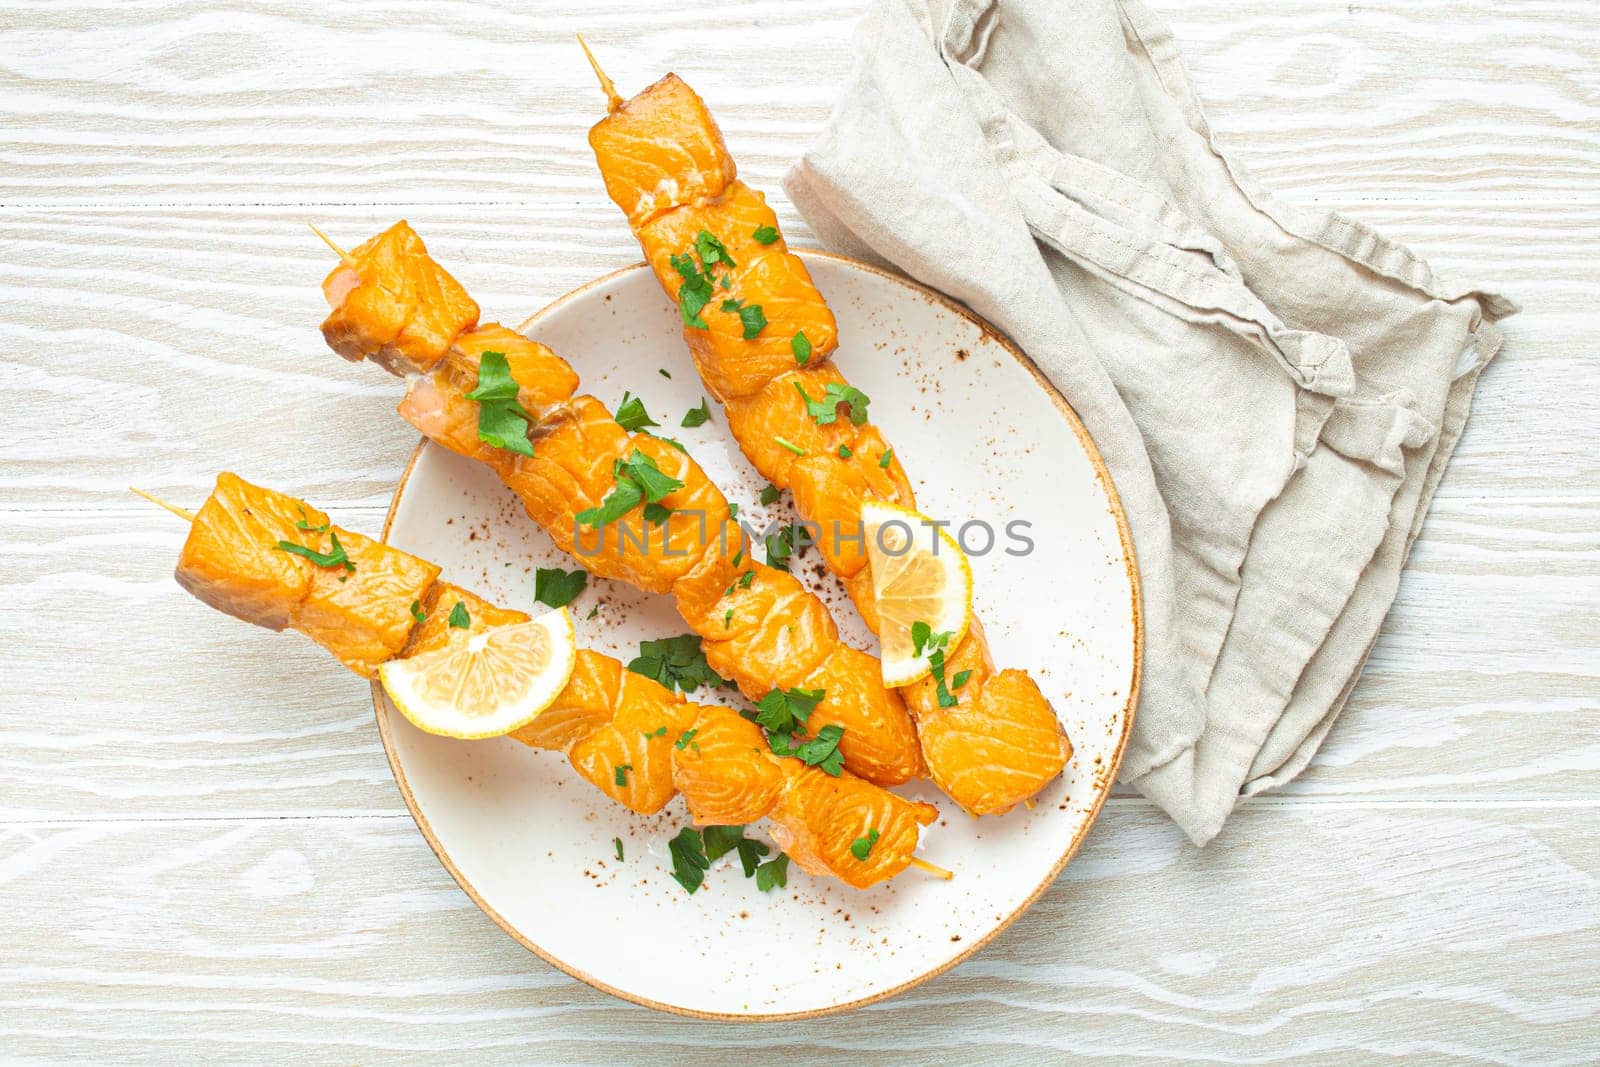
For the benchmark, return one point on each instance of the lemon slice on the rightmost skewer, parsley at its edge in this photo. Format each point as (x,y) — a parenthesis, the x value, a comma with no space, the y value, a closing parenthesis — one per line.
(919,577)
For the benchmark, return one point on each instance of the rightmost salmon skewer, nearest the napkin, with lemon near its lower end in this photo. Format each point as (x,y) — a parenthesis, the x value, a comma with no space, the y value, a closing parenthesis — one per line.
(666,167)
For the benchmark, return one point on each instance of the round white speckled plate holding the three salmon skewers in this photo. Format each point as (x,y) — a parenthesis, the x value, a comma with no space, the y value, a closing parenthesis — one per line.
(983,438)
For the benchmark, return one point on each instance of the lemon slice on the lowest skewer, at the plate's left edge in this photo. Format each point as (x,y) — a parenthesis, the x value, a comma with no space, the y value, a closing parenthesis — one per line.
(486,684)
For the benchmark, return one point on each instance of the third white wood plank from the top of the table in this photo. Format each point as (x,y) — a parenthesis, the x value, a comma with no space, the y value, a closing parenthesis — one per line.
(178,711)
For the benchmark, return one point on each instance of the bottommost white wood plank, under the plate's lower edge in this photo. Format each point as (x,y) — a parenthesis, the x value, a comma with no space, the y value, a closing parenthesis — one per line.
(1441,932)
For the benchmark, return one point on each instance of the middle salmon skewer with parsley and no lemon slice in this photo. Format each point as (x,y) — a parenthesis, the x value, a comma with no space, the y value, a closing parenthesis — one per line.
(566,458)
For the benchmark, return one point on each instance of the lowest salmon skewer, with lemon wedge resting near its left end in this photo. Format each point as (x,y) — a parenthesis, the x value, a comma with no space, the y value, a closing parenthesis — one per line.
(366,612)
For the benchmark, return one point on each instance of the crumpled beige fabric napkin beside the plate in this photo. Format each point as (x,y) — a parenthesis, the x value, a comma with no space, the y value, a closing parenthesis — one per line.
(1276,390)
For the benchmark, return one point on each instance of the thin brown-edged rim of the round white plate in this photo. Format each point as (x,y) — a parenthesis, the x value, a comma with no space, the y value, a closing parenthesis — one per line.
(1130,705)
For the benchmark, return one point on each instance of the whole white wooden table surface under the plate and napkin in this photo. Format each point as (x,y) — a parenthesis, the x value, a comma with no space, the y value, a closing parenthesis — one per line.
(202,853)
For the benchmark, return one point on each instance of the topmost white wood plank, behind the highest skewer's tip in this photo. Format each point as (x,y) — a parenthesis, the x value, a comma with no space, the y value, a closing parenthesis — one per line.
(282,103)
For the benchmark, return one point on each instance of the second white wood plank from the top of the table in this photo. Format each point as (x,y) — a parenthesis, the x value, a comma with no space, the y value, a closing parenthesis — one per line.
(154,308)
